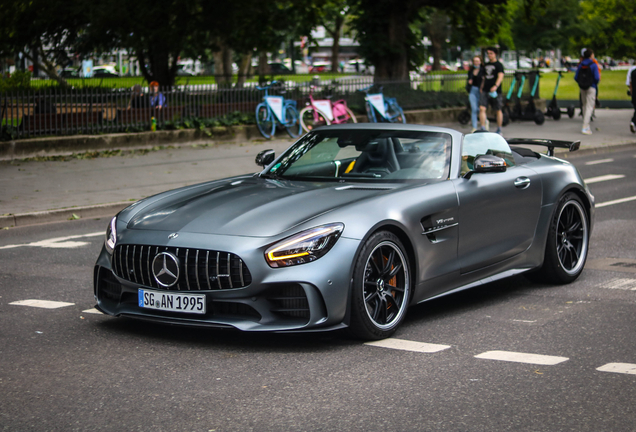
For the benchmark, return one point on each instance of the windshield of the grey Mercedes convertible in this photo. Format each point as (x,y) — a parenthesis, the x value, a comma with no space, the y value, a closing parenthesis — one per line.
(366,155)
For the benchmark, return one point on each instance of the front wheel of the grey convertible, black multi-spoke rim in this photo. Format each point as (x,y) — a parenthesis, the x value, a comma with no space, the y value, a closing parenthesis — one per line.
(381,287)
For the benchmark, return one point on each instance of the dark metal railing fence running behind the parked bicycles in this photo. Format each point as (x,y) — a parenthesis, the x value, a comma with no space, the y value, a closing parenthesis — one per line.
(86,110)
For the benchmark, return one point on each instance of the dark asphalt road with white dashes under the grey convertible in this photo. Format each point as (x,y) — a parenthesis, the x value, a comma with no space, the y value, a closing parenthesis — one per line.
(68,369)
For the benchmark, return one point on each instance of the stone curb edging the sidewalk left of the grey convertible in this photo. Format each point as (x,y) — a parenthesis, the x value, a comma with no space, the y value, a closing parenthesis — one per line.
(61,215)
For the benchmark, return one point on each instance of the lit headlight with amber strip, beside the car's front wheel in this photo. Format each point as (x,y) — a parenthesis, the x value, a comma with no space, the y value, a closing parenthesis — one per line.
(304,247)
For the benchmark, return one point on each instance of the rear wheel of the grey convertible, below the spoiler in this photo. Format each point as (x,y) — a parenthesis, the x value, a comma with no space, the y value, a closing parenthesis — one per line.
(568,242)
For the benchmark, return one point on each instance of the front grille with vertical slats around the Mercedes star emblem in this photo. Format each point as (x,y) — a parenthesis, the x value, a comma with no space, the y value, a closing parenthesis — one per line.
(199,269)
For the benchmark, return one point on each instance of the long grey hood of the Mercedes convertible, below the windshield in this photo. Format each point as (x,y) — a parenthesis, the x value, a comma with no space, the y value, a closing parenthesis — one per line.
(254,207)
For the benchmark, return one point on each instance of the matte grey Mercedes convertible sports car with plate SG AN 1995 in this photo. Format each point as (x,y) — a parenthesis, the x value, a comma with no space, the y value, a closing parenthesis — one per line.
(346,229)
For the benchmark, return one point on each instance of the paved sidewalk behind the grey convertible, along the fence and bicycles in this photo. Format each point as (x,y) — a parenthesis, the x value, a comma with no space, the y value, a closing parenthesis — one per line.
(34,192)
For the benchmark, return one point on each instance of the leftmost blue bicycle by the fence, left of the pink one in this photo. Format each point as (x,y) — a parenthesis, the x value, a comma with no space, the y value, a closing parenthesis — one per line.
(275,109)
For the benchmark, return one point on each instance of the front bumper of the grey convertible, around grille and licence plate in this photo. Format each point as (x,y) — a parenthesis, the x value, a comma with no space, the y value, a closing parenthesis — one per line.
(300,298)
